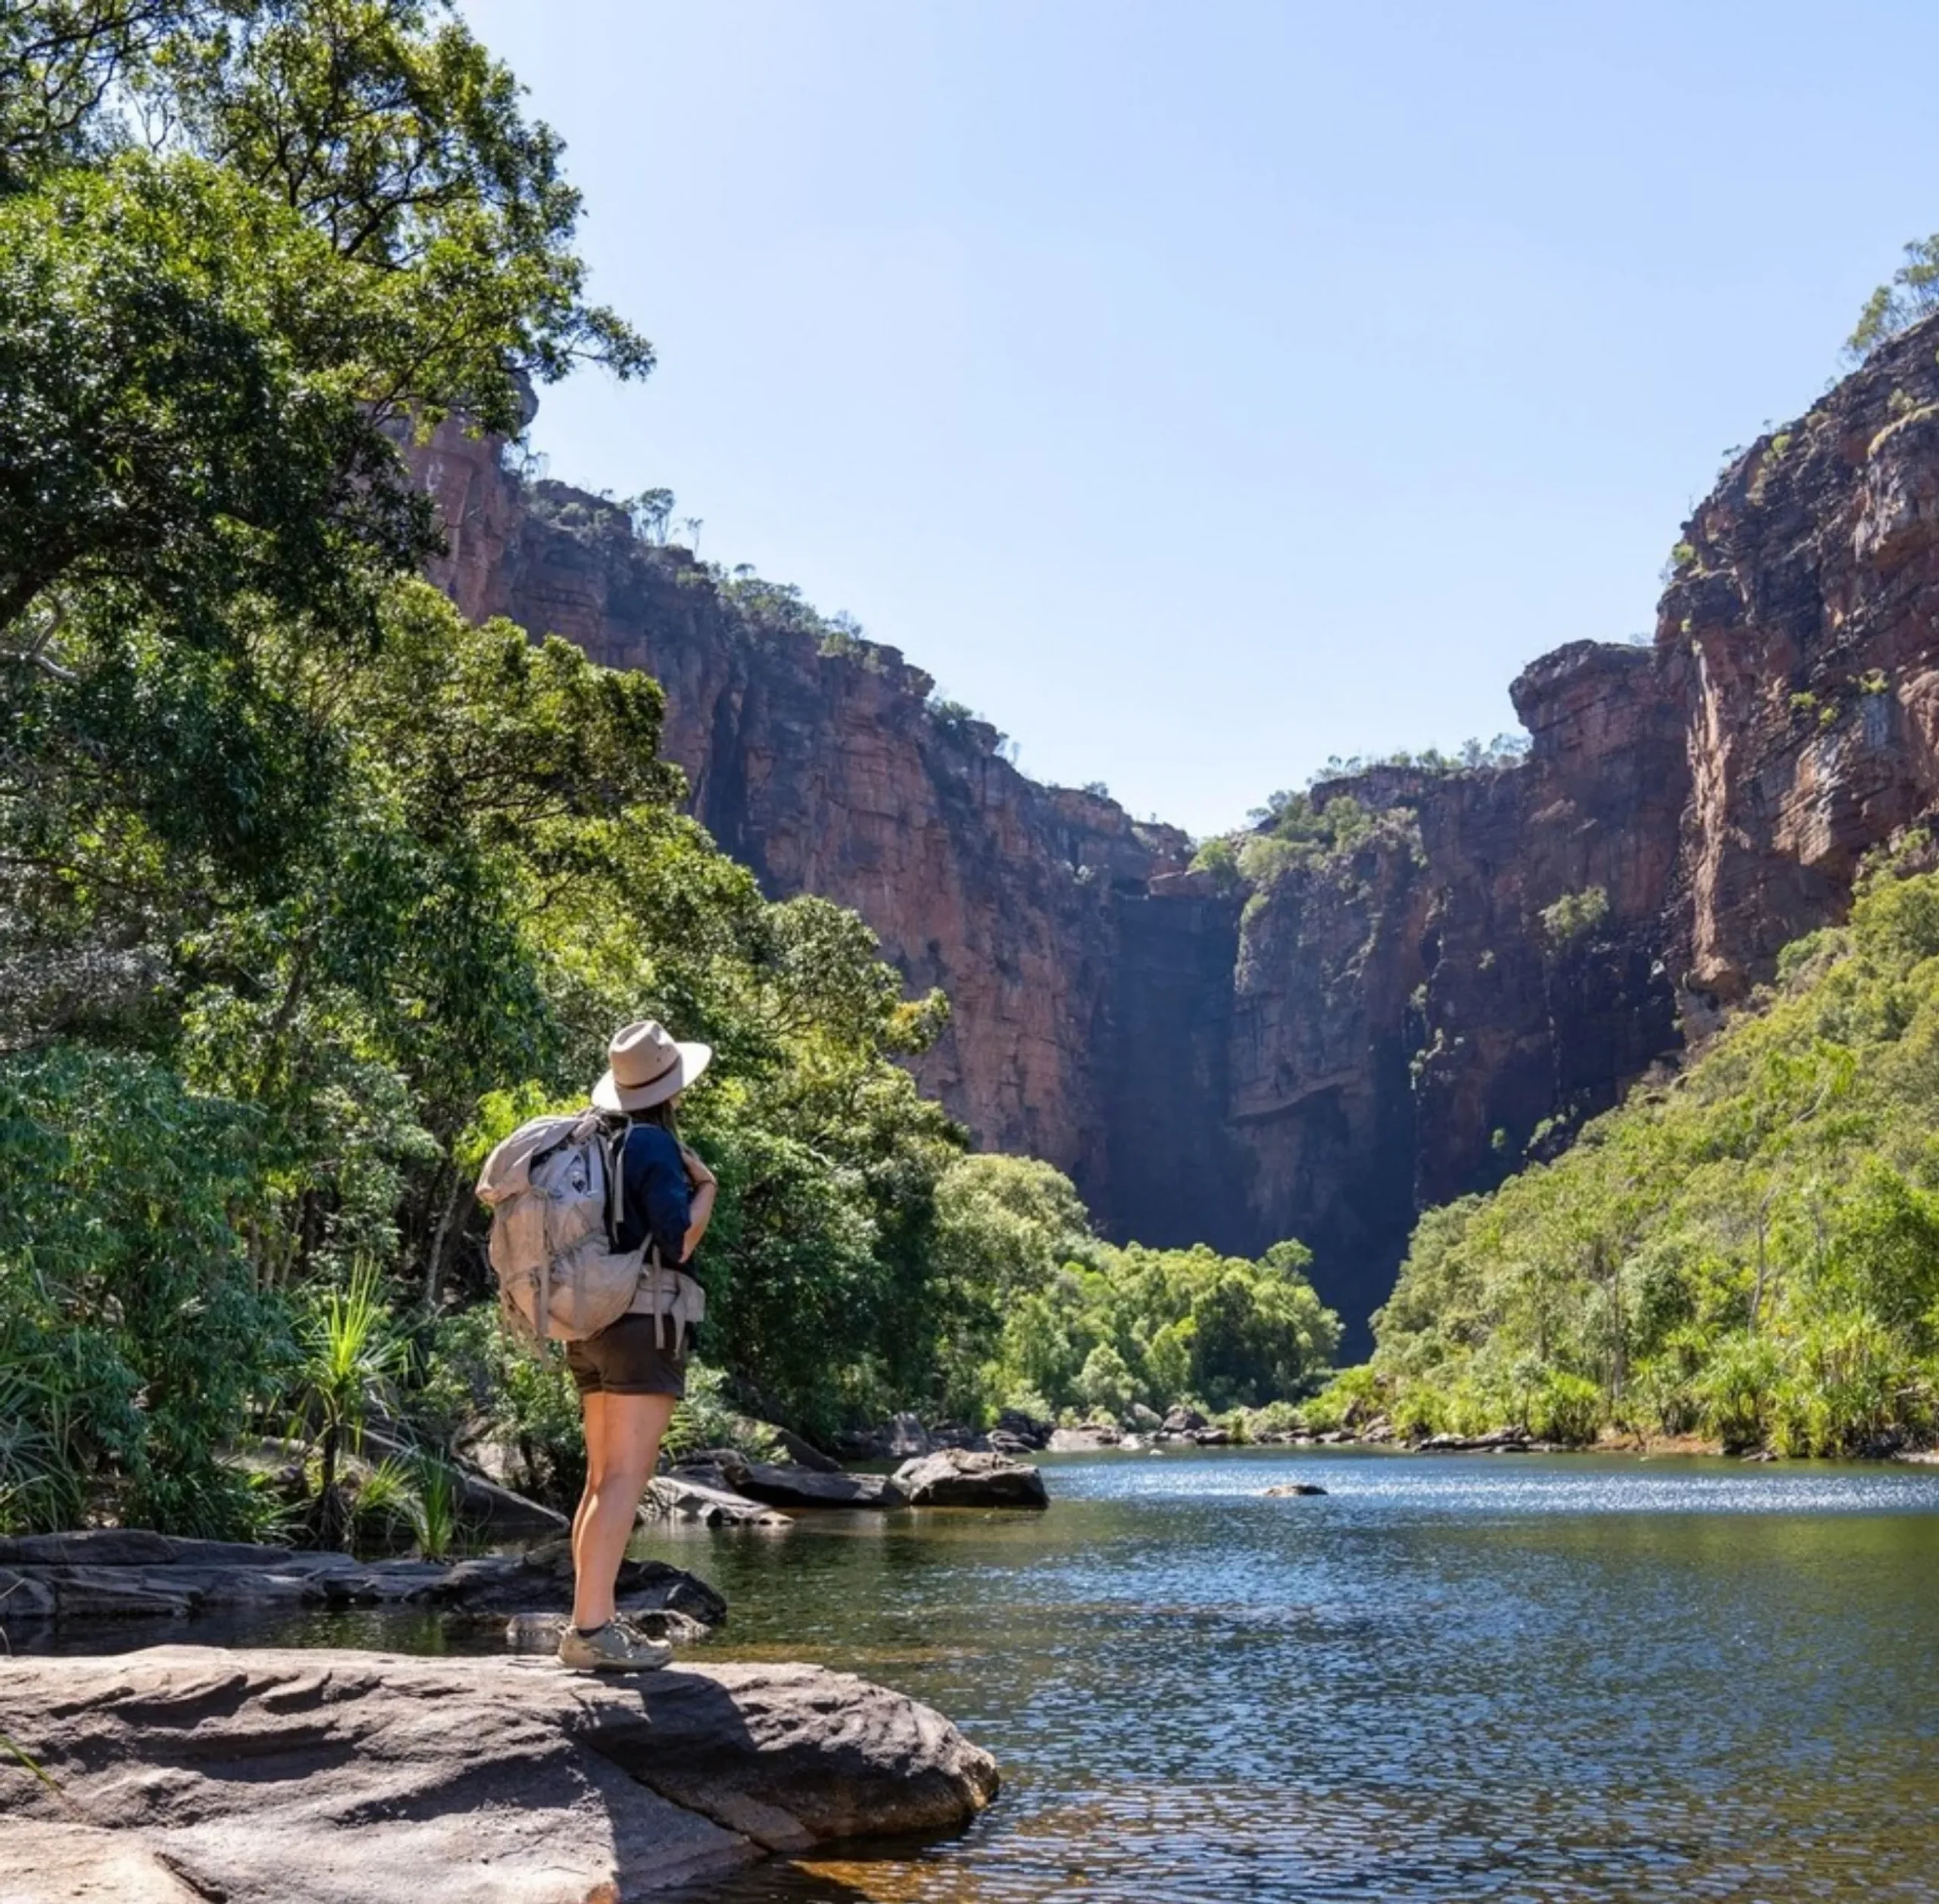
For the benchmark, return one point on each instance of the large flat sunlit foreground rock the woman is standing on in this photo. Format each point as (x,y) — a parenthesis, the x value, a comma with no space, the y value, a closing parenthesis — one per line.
(313,1777)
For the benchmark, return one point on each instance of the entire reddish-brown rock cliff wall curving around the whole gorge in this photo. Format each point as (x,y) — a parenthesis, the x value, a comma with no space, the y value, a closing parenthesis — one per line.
(1376,1029)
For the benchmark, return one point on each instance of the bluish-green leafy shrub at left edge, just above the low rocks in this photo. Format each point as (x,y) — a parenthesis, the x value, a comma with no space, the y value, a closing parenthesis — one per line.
(133,1333)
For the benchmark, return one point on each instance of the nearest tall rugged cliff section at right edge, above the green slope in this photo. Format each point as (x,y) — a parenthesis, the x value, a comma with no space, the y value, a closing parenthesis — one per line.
(1802,643)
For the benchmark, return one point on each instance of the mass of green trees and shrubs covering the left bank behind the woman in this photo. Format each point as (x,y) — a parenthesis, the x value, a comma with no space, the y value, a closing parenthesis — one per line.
(309,891)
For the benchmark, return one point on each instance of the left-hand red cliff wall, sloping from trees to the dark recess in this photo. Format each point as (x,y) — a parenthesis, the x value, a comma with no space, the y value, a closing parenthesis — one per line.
(821,765)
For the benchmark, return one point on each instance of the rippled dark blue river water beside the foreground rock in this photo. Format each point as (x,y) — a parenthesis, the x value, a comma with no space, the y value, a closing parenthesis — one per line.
(1449,1680)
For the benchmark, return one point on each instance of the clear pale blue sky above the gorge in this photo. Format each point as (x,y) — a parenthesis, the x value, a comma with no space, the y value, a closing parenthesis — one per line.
(1207,391)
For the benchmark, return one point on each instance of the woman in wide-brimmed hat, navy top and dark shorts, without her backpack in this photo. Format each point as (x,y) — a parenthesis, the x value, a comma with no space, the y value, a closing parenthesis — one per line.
(631,1376)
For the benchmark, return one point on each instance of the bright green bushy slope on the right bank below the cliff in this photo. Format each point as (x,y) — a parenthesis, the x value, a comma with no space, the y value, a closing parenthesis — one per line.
(1750,1253)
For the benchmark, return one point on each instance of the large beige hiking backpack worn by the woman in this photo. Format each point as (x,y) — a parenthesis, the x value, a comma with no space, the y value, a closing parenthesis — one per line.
(556,1197)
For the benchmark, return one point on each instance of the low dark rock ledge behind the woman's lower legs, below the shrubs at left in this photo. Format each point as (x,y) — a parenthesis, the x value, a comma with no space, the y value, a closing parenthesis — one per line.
(131,1573)
